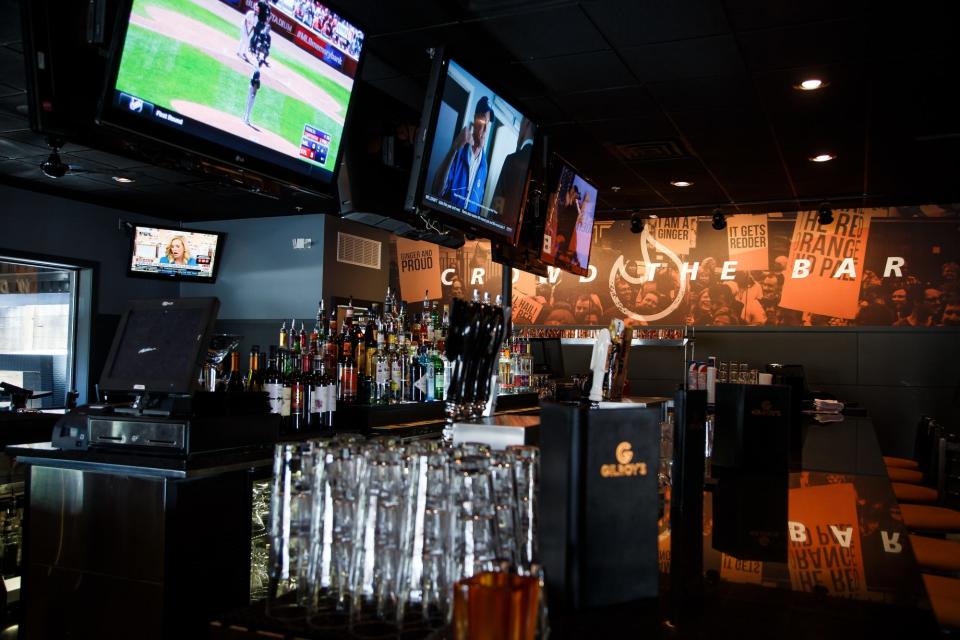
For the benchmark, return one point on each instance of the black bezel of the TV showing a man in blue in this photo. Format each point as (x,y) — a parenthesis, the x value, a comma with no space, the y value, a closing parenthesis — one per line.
(431,111)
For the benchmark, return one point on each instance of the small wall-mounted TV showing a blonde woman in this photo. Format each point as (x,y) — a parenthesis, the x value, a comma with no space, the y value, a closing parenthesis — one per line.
(169,253)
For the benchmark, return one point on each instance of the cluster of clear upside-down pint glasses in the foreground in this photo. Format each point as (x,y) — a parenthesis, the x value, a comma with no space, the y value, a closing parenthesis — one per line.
(383,529)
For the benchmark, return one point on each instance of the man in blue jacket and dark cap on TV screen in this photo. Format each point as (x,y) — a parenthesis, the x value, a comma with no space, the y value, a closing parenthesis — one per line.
(466,177)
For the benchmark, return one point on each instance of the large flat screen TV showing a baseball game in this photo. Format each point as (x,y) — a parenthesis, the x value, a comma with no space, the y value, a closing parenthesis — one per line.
(264,86)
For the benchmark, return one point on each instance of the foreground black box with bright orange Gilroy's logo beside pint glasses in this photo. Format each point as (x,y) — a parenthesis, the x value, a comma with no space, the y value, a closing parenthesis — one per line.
(599,503)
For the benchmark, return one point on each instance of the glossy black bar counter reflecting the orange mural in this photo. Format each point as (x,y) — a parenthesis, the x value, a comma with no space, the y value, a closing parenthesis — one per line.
(848,570)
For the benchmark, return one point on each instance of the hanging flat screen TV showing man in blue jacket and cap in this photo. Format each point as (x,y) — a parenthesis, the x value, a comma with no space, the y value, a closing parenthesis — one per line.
(474,156)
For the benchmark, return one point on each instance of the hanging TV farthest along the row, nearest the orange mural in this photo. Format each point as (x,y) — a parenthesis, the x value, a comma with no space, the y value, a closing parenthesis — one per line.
(568,228)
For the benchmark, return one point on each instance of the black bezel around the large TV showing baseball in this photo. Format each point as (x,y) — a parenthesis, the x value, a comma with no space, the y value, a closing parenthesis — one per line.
(256,159)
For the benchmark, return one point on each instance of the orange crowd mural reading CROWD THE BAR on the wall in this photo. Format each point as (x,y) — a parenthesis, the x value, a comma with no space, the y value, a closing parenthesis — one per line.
(868,267)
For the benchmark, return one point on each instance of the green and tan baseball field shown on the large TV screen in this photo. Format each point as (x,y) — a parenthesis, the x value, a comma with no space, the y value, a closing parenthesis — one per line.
(181,55)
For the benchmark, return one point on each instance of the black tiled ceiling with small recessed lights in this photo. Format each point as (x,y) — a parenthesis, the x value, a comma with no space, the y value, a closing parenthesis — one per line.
(636,94)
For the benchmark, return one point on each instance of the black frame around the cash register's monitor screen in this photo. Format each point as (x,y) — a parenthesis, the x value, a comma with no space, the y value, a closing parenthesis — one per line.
(185,381)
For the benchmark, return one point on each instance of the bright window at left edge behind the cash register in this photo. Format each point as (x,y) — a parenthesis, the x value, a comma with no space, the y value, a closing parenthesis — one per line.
(37,307)
